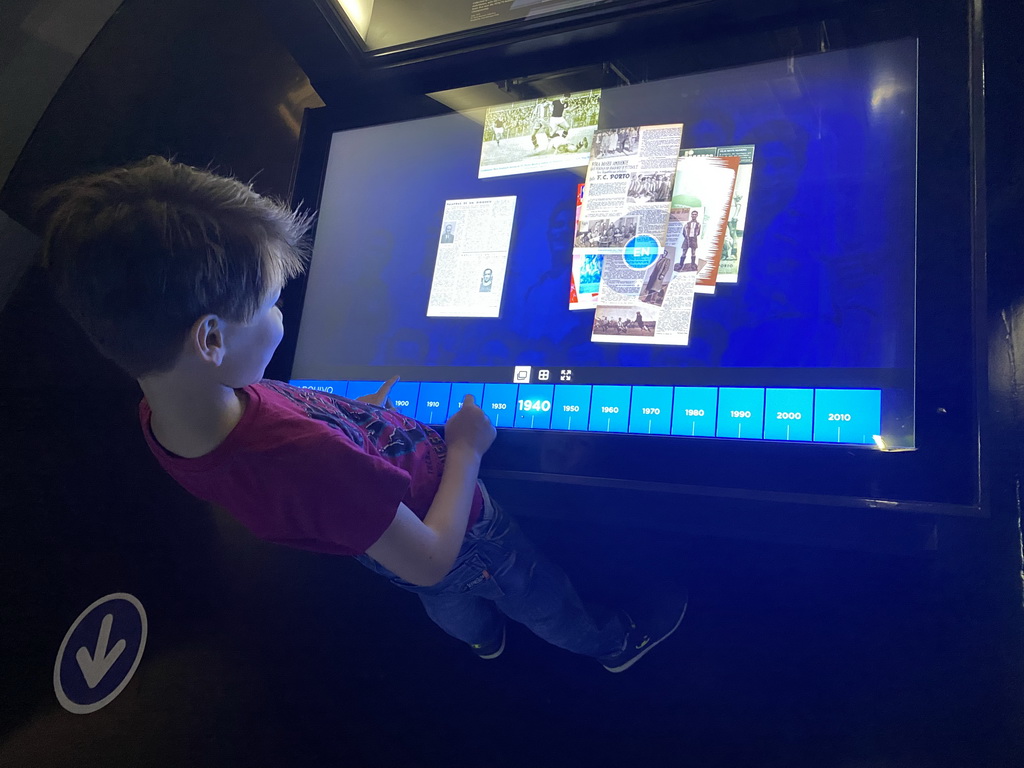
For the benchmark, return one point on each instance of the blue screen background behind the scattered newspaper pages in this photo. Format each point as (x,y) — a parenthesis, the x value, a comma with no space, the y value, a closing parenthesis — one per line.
(828,270)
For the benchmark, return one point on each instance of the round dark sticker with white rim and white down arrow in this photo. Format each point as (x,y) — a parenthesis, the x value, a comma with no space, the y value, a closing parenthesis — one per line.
(100,654)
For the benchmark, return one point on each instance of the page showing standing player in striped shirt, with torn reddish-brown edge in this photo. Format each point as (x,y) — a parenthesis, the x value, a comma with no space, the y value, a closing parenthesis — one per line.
(701,201)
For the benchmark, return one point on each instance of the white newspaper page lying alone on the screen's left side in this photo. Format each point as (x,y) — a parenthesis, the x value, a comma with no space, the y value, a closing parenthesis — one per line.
(473,254)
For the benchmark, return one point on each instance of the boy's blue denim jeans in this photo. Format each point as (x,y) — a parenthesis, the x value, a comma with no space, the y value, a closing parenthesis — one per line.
(498,574)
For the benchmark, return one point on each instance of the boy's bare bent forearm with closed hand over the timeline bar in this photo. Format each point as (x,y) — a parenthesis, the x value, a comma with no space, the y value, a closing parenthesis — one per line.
(423,551)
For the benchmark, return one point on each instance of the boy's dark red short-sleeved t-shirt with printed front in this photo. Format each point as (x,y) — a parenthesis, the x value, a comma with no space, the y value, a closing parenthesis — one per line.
(314,471)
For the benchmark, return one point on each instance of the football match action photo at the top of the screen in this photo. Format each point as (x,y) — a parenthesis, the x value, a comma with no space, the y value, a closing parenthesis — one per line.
(541,135)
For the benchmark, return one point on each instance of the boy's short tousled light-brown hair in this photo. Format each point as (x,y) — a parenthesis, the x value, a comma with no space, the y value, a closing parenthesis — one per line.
(139,254)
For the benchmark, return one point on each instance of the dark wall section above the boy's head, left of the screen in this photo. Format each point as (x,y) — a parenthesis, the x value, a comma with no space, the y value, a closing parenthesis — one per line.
(206,82)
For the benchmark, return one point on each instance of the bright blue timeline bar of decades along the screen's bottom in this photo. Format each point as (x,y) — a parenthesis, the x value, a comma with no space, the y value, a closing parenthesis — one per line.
(802,415)
